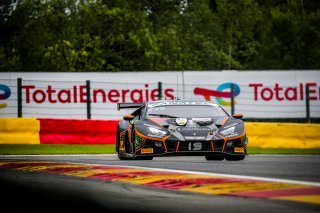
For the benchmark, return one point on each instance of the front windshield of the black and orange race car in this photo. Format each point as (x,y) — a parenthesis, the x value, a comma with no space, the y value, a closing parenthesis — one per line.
(176,111)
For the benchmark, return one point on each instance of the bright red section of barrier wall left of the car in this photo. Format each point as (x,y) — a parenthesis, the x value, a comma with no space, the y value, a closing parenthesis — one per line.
(72,131)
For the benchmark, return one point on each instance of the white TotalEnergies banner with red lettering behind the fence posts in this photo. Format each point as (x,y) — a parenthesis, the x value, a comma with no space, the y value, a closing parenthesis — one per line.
(258,94)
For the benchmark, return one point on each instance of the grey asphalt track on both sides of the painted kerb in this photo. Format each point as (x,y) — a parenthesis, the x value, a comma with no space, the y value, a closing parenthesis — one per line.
(41,192)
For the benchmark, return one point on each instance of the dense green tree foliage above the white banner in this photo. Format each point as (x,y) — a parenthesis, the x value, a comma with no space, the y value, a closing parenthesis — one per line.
(147,35)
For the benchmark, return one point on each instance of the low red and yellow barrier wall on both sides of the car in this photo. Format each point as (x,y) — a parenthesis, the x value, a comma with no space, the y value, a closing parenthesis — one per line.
(74,131)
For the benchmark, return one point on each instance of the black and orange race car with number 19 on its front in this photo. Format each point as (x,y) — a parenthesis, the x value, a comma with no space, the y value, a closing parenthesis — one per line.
(164,128)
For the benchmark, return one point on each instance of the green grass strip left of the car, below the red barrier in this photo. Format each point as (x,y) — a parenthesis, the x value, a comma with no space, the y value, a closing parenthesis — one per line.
(51,149)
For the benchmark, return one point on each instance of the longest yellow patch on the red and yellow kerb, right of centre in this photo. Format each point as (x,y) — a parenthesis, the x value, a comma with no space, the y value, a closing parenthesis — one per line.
(226,188)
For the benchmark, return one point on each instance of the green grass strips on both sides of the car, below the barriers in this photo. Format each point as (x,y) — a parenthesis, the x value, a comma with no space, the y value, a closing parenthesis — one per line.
(51,149)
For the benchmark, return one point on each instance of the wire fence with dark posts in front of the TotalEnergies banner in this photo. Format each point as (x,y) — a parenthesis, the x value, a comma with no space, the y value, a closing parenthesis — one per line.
(97,100)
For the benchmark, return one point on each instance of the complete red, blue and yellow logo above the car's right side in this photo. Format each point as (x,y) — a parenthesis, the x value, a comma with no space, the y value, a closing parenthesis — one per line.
(220,93)
